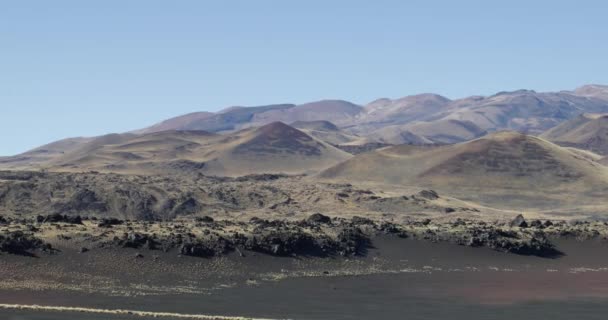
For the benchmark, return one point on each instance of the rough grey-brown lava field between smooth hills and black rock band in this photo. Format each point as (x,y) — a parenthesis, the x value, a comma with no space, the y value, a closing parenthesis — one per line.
(153,198)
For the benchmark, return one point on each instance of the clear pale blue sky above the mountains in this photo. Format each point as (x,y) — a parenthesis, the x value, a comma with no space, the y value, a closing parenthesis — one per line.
(82,68)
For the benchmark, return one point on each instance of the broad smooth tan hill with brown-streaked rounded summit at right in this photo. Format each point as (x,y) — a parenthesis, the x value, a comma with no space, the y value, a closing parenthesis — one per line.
(507,169)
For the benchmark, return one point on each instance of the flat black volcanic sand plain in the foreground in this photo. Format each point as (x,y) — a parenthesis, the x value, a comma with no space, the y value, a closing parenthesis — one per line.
(399,279)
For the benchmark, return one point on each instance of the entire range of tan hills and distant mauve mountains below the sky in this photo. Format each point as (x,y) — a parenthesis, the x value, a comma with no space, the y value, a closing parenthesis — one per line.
(511,150)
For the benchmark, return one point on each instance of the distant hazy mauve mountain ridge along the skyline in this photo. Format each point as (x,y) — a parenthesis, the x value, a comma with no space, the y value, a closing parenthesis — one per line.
(413,118)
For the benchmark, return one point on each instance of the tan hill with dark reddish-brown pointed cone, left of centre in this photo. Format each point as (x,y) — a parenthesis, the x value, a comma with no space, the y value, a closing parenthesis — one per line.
(273,148)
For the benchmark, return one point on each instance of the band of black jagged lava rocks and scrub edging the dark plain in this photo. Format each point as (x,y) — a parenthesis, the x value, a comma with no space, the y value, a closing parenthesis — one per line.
(316,236)
